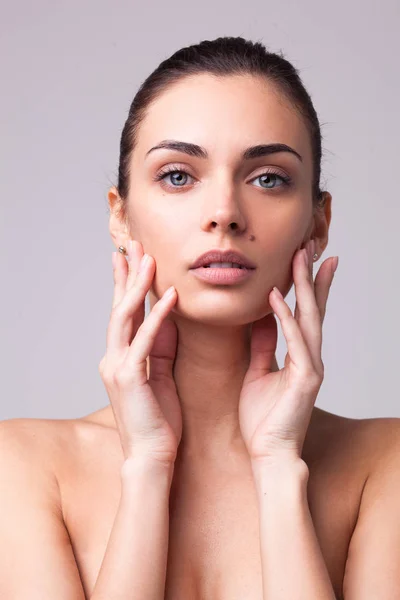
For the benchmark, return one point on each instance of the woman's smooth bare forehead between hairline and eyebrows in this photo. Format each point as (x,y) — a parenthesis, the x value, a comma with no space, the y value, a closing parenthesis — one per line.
(217,113)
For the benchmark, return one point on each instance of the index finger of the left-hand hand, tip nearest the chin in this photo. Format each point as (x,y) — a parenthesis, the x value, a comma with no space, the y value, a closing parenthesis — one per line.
(142,345)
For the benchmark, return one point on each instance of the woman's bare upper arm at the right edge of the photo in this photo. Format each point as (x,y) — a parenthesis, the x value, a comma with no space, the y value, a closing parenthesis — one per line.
(373,560)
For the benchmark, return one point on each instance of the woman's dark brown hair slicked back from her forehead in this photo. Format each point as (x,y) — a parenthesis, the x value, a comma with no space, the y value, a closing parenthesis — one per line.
(223,56)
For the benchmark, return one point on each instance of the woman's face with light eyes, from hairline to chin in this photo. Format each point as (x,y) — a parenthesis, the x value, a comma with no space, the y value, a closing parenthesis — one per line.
(185,214)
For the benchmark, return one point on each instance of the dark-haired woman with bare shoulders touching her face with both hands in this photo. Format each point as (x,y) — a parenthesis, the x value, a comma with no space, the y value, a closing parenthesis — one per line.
(211,474)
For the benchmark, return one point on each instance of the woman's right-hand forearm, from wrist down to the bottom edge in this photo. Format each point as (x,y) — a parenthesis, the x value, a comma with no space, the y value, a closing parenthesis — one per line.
(292,561)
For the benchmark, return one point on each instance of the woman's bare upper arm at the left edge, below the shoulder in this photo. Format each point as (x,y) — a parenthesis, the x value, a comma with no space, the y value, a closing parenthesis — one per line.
(36,557)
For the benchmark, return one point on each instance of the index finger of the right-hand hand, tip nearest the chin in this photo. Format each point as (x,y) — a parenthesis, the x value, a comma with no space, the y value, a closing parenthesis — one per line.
(297,347)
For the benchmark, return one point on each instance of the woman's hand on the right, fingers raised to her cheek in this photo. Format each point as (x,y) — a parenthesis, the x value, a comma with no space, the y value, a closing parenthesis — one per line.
(275,408)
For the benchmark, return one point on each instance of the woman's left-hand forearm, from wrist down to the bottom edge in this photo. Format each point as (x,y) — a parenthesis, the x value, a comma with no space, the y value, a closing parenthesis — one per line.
(135,561)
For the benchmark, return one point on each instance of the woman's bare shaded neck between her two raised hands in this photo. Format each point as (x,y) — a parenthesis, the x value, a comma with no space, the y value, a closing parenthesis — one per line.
(210,365)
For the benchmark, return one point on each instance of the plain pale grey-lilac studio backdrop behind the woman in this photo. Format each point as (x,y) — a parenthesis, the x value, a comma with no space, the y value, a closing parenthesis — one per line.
(69,71)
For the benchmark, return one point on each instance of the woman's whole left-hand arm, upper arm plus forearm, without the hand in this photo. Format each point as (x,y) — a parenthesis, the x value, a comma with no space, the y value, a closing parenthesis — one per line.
(36,557)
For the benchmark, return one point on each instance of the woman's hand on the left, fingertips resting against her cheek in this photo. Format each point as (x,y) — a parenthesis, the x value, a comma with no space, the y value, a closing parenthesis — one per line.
(146,410)
